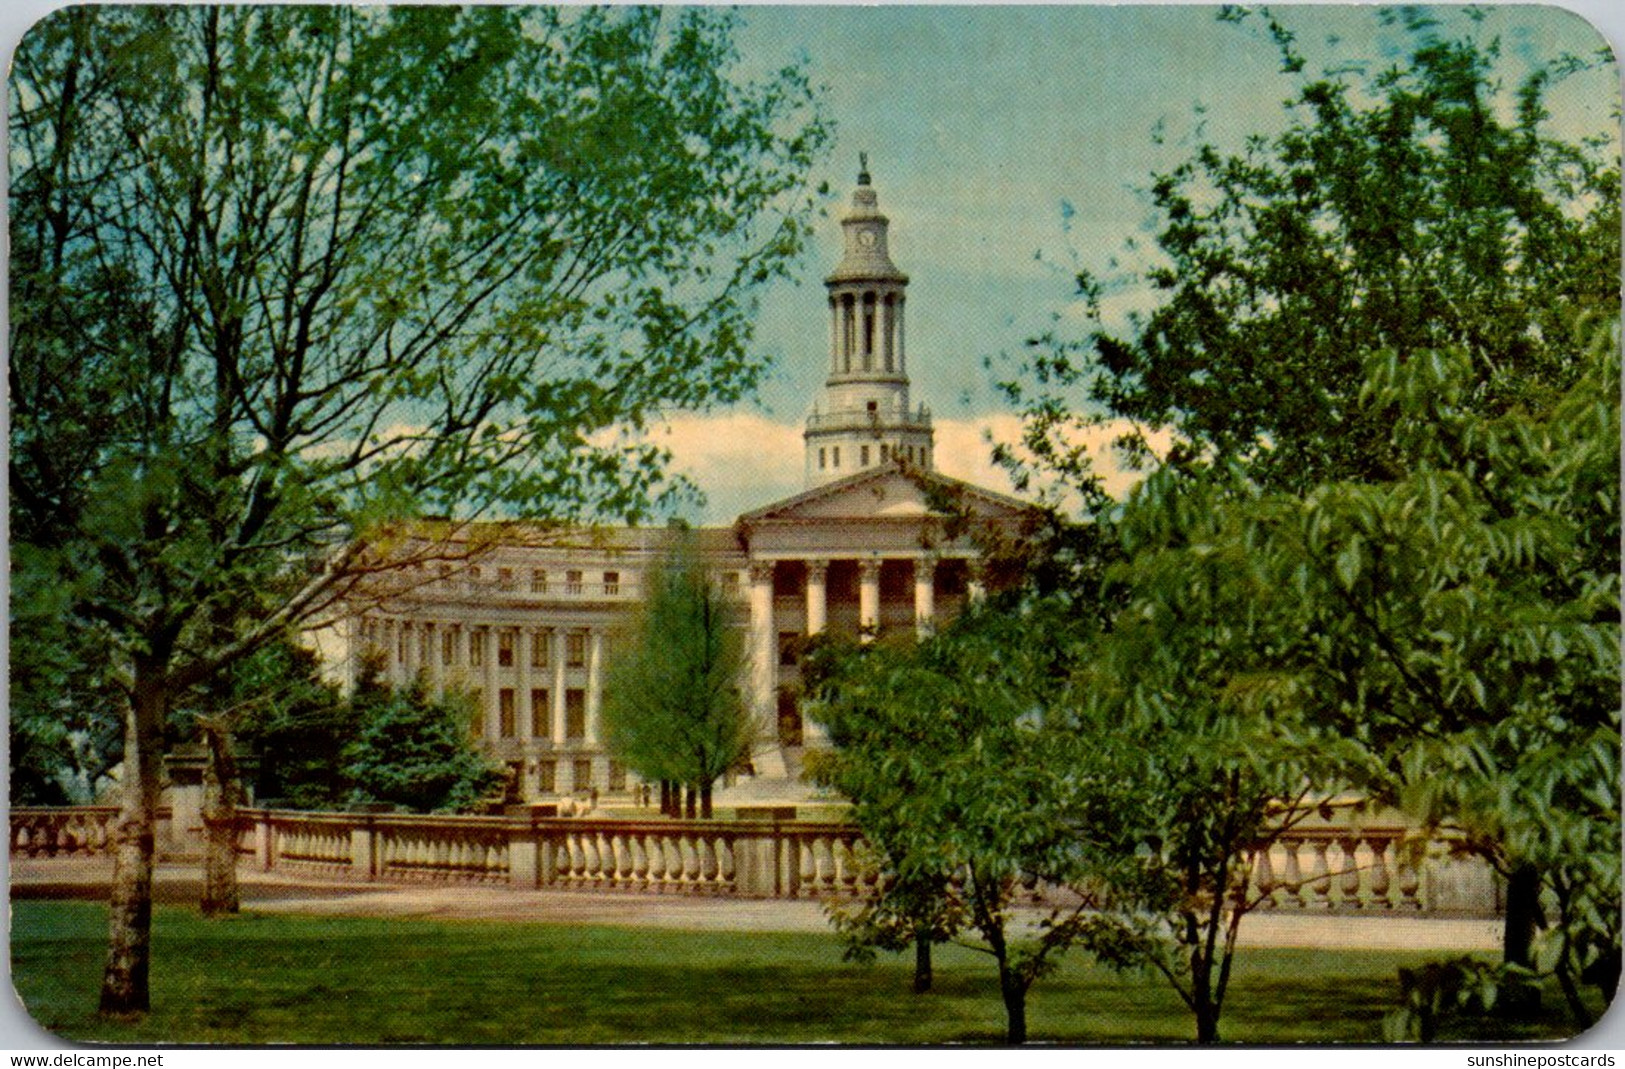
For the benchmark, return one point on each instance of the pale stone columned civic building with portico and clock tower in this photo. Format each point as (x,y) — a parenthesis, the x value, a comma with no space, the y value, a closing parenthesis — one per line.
(877,542)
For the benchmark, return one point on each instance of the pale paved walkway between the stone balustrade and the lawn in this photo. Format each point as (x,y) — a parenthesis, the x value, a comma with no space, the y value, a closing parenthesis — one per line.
(275,893)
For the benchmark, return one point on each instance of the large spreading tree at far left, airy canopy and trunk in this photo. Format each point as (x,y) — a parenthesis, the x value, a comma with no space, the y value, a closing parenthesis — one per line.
(288,279)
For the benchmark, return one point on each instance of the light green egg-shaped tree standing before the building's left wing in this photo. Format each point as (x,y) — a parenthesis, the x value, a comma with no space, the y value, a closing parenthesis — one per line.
(674,708)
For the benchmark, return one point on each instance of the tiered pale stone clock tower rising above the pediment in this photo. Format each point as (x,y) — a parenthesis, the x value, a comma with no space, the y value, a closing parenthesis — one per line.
(865,420)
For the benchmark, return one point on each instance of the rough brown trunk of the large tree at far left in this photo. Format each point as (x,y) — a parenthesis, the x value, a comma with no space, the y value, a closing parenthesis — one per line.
(131,909)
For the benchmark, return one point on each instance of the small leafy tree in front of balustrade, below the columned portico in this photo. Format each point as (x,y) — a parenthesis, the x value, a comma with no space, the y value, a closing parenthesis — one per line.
(942,750)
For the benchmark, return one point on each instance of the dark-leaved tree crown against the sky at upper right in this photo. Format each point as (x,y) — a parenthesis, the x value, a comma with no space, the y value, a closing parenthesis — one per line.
(1416,210)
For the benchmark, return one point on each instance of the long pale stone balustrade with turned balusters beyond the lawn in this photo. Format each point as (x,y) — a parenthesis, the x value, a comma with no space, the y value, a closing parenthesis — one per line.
(1332,867)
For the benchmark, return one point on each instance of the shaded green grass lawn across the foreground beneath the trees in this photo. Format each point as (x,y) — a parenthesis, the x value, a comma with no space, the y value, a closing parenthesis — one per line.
(266,979)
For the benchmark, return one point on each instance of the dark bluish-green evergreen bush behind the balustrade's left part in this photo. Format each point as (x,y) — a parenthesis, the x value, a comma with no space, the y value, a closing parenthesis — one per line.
(414,751)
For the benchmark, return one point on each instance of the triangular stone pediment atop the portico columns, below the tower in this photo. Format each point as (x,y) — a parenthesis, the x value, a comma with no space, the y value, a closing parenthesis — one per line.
(891,493)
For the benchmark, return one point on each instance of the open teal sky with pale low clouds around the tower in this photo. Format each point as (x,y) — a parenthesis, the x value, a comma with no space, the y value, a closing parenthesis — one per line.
(981,124)
